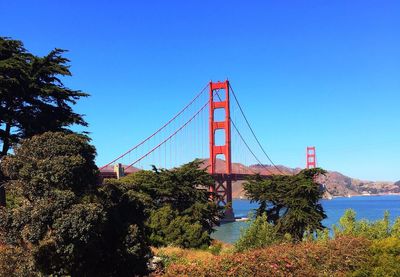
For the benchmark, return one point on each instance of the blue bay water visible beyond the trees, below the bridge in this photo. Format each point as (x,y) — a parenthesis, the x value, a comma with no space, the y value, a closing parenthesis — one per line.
(368,207)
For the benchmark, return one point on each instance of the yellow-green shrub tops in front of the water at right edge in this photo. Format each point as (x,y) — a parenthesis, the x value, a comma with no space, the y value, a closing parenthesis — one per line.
(349,225)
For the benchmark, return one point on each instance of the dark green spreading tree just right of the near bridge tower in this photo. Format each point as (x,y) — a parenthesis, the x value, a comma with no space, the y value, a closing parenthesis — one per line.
(291,203)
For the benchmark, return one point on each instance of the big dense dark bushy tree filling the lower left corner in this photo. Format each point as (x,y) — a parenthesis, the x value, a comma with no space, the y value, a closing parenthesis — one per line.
(67,224)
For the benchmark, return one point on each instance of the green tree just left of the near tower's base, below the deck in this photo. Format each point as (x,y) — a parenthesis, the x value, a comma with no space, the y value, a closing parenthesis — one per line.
(181,212)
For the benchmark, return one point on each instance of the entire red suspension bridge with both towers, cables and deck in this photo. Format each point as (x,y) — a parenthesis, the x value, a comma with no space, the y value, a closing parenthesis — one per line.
(212,128)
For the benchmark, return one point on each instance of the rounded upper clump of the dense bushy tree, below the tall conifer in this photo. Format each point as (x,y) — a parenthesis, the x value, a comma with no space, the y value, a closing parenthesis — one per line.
(52,161)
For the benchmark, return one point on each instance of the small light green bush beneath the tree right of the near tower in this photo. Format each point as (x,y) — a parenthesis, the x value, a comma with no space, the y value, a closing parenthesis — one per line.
(259,234)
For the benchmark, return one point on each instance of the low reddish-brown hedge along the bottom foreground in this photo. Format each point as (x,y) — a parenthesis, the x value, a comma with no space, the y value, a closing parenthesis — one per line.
(336,257)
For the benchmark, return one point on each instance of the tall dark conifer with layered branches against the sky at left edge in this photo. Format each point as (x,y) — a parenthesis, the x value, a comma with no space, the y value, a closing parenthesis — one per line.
(33,99)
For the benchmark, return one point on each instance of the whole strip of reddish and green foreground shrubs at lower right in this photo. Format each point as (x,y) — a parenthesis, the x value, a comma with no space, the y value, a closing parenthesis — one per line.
(353,251)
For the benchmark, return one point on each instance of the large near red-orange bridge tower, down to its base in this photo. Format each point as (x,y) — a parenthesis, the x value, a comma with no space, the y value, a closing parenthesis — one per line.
(223,181)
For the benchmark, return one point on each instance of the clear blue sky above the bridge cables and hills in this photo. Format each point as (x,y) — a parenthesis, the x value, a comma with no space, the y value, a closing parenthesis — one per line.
(323,73)
